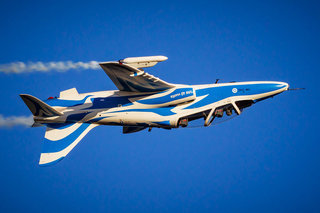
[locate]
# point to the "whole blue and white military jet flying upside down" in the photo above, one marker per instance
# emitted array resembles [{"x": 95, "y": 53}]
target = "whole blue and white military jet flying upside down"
[{"x": 141, "y": 101}]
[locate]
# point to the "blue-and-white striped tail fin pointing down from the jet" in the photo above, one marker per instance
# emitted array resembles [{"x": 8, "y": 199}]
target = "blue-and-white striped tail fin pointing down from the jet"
[{"x": 60, "y": 139}]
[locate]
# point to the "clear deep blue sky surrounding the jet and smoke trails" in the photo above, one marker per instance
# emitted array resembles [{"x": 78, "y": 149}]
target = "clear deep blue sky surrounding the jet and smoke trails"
[{"x": 266, "y": 160}]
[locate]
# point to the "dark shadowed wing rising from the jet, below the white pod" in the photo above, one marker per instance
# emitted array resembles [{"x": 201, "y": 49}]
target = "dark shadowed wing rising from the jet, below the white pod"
[{"x": 131, "y": 79}]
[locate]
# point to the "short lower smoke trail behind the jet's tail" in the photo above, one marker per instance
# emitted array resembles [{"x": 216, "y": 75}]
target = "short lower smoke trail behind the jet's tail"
[{"x": 15, "y": 121}]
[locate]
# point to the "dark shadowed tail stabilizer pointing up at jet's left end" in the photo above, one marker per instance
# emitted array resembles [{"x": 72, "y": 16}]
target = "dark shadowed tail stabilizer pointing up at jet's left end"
[{"x": 38, "y": 107}]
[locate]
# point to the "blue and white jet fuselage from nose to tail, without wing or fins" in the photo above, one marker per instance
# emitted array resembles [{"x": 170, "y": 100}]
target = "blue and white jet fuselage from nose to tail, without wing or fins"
[{"x": 163, "y": 109}]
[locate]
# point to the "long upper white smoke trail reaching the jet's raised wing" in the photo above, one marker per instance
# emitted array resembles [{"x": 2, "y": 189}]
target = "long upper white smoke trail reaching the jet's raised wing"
[{"x": 21, "y": 67}]
